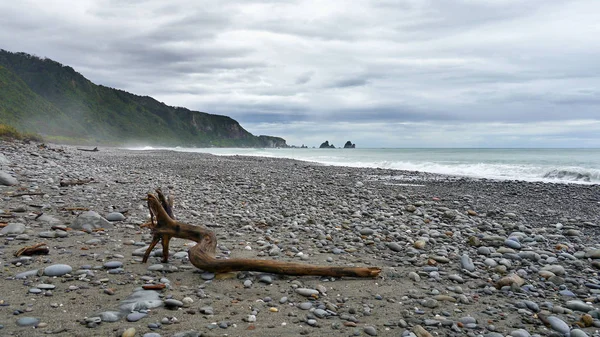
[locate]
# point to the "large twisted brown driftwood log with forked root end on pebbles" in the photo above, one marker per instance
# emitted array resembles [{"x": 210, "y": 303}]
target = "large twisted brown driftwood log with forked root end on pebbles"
[{"x": 164, "y": 227}]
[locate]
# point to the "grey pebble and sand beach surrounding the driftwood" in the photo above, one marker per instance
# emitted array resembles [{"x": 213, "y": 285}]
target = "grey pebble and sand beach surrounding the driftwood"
[{"x": 459, "y": 256}]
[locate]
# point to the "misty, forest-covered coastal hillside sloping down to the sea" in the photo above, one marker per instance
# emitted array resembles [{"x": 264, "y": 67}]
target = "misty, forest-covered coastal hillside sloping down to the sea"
[{"x": 78, "y": 109}]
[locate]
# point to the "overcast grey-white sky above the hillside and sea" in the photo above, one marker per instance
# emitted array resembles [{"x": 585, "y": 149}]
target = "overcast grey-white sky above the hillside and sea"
[{"x": 389, "y": 73}]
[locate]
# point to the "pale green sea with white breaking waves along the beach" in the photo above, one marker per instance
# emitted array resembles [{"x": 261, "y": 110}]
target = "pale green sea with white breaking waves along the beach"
[{"x": 581, "y": 166}]
